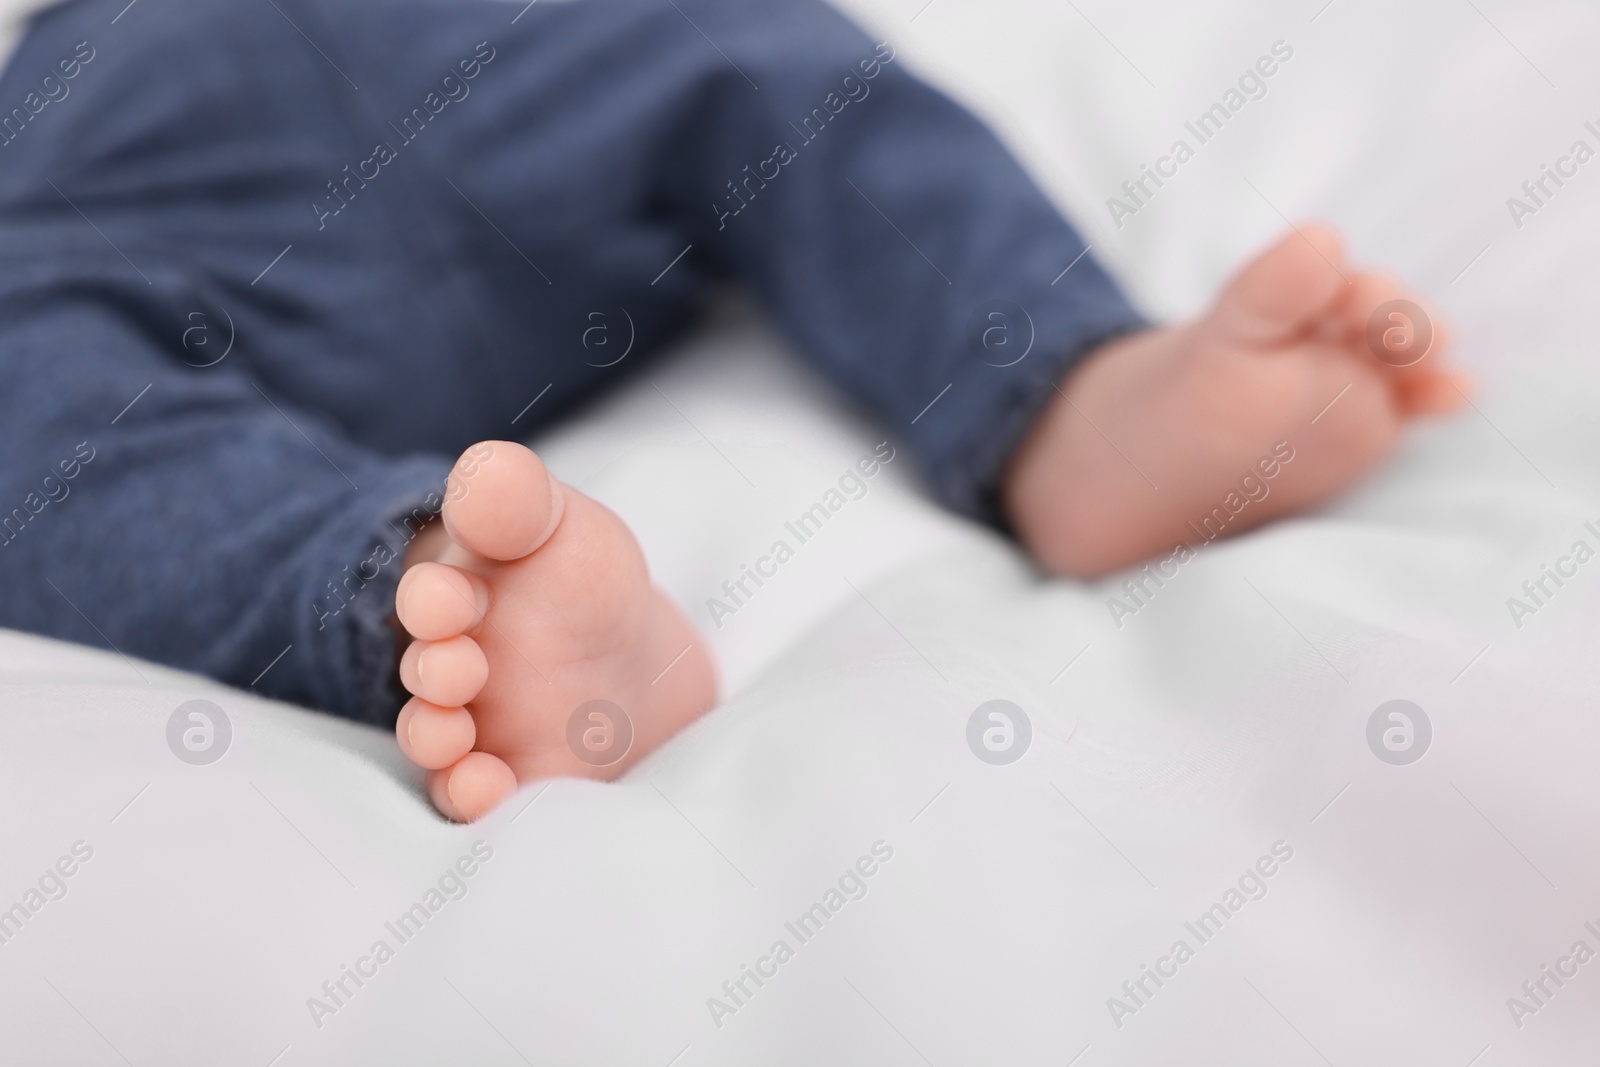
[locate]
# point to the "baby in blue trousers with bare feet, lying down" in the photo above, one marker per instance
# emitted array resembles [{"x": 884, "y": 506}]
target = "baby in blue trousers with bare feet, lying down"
[{"x": 273, "y": 265}]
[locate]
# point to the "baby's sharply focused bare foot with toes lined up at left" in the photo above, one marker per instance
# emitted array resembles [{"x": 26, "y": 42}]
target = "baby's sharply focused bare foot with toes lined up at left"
[{"x": 535, "y": 602}]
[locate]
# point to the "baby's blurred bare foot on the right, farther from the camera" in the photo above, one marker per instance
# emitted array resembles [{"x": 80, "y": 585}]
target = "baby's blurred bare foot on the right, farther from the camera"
[{"x": 1158, "y": 430}]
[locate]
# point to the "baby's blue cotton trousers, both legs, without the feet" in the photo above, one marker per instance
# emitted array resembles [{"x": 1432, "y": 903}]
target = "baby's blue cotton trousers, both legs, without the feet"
[{"x": 247, "y": 518}]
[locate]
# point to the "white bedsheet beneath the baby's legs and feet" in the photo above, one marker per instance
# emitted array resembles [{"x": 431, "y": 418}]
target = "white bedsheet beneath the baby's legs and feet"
[{"x": 1170, "y": 756}]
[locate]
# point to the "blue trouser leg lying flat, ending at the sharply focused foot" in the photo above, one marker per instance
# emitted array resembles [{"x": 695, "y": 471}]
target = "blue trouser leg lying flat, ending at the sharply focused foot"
[{"x": 193, "y": 518}]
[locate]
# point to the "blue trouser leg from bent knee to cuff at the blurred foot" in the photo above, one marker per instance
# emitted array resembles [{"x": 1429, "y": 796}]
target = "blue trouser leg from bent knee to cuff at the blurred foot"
[{"x": 892, "y": 234}]
